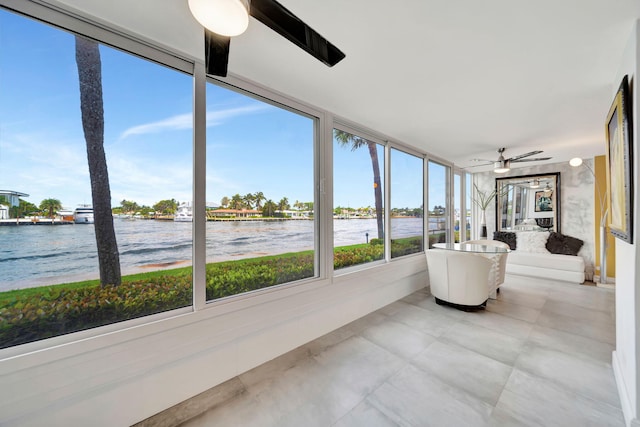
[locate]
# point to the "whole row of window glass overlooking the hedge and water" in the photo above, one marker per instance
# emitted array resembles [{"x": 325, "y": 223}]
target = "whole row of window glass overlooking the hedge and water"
[{"x": 262, "y": 187}]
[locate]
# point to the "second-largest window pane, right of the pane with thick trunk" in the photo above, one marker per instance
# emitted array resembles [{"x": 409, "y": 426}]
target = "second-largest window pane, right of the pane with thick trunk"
[{"x": 260, "y": 194}]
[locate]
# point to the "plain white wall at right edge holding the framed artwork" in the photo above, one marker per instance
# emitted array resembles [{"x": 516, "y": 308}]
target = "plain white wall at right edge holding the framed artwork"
[{"x": 625, "y": 357}]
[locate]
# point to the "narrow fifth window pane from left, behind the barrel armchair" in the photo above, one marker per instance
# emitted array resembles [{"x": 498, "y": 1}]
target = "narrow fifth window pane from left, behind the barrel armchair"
[{"x": 437, "y": 197}]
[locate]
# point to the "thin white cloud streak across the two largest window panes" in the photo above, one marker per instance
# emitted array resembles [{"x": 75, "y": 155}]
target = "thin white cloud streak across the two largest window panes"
[{"x": 185, "y": 121}]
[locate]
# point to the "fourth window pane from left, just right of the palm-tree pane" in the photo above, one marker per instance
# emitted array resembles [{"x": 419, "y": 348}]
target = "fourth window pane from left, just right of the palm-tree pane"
[{"x": 407, "y": 223}]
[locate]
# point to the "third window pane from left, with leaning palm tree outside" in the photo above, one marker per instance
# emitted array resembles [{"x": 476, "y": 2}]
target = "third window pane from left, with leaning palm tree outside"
[{"x": 358, "y": 189}]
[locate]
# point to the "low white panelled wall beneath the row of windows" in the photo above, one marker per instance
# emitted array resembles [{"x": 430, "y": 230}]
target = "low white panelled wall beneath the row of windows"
[{"x": 125, "y": 376}]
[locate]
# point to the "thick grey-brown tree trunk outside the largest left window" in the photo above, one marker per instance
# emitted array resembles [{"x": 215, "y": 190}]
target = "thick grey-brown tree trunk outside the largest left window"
[{"x": 91, "y": 108}]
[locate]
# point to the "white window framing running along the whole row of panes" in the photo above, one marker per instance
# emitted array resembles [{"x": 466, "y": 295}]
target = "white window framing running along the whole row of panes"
[{"x": 128, "y": 42}]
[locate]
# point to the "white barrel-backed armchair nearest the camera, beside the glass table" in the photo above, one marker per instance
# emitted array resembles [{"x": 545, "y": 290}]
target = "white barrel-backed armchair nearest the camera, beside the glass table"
[{"x": 459, "y": 279}]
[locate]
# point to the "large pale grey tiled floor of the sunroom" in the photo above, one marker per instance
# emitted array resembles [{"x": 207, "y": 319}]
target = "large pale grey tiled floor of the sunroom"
[{"x": 540, "y": 355}]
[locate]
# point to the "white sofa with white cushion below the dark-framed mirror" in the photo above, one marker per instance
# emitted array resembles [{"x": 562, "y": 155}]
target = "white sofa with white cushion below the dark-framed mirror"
[{"x": 531, "y": 258}]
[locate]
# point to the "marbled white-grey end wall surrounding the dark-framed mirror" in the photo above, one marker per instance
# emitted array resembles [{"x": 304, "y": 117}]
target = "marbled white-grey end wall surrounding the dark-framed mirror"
[{"x": 576, "y": 204}]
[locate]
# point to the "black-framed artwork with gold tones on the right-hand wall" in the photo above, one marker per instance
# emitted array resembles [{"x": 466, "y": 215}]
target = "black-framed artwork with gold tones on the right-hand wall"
[{"x": 619, "y": 165}]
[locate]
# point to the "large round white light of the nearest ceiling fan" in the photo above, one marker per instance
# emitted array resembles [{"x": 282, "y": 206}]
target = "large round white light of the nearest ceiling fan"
[{"x": 224, "y": 17}]
